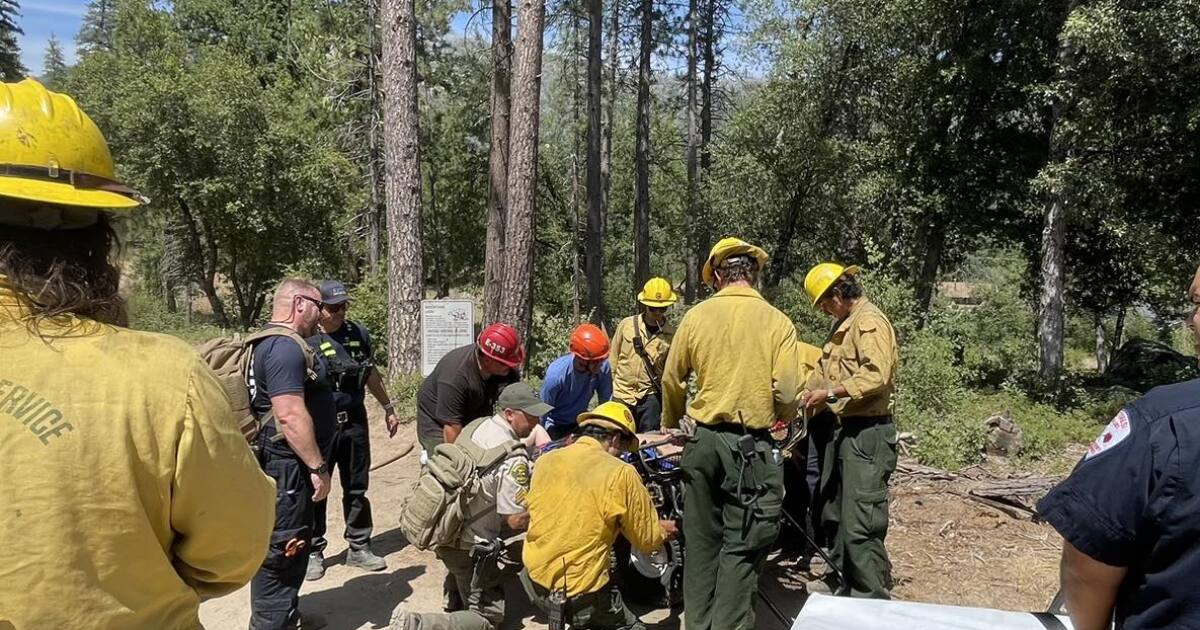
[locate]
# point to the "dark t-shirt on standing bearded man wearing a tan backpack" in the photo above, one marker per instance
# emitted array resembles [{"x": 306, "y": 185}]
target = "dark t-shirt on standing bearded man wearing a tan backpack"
[{"x": 279, "y": 368}]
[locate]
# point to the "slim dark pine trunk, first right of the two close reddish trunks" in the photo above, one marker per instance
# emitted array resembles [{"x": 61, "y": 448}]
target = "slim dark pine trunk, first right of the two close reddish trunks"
[{"x": 595, "y": 248}]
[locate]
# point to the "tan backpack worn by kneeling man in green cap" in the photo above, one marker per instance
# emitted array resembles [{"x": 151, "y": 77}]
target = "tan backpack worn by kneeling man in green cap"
[{"x": 435, "y": 512}]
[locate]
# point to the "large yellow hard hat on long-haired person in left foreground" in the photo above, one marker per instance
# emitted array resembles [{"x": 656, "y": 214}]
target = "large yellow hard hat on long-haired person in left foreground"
[{"x": 52, "y": 153}]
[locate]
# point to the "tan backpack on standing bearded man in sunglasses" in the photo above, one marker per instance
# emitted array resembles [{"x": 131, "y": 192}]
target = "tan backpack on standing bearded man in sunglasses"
[{"x": 230, "y": 359}]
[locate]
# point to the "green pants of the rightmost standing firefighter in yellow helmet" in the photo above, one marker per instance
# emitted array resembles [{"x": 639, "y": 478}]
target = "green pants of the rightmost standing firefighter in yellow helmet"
[{"x": 859, "y": 466}]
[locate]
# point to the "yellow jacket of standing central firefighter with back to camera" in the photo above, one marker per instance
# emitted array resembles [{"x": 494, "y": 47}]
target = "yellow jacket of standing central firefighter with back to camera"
[{"x": 746, "y": 357}]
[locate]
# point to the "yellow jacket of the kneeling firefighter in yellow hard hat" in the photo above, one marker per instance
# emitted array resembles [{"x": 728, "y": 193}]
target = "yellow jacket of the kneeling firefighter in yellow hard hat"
[{"x": 580, "y": 500}]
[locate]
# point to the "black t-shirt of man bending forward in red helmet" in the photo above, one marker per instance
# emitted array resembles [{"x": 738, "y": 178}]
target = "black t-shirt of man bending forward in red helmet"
[{"x": 458, "y": 392}]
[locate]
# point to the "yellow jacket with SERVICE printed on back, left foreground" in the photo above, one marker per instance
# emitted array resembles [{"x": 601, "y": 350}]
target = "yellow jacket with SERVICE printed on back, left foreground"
[{"x": 130, "y": 495}]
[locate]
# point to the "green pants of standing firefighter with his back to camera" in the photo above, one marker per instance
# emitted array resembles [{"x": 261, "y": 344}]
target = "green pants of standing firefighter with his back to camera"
[{"x": 733, "y": 512}]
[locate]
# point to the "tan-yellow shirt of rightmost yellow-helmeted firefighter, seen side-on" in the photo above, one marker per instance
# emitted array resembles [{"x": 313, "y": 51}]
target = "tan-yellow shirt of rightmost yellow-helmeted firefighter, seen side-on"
[{"x": 861, "y": 356}]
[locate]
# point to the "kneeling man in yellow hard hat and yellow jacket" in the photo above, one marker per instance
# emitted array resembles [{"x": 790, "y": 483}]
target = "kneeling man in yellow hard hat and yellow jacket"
[{"x": 583, "y": 496}]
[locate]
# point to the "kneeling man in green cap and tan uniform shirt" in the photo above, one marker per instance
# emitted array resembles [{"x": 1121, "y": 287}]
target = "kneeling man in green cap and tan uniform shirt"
[{"x": 497, "y": 509}]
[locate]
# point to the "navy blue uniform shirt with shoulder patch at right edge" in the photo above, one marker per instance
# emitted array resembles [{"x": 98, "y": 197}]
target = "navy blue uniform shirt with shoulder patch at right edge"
[{"x": 1133, "y": 502}]
